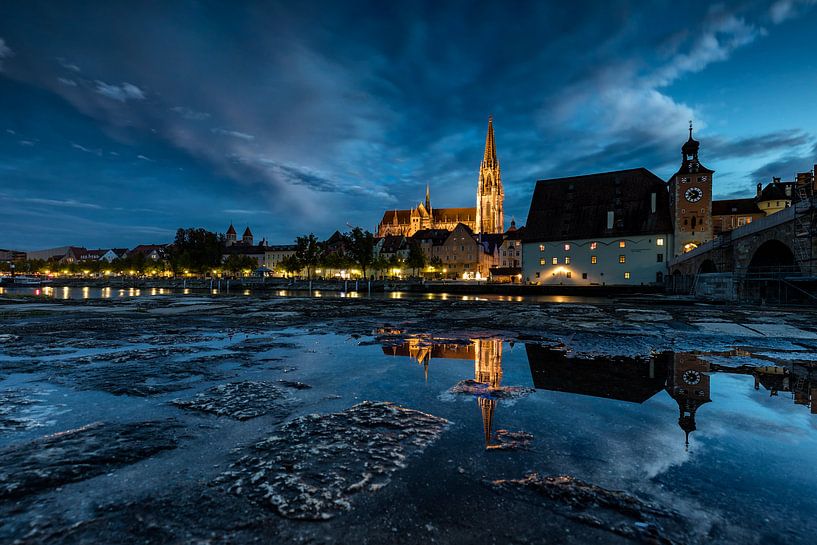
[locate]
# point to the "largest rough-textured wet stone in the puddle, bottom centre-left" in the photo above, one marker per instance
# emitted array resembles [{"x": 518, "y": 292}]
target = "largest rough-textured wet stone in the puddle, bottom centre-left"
[{"x": 315, "y": 464}]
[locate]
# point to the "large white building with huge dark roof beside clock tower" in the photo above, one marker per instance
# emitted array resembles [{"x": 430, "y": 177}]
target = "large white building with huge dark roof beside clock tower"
[{"x": 612, "y": 228}]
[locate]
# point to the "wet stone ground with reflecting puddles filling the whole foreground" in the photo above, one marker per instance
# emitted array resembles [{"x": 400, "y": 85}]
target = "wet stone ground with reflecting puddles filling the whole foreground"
[{"x": 238, "y": 419}]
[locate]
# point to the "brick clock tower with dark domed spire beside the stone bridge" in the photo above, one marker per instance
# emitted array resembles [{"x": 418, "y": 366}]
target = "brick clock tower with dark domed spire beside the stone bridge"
[{"x": 691, "y": 199}]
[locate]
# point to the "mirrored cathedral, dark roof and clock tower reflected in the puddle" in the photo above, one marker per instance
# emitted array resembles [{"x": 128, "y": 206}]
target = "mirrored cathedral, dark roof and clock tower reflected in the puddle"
[{"x": 685, "y": 377}]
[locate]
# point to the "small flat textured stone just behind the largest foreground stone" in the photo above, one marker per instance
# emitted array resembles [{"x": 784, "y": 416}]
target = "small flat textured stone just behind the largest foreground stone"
[{"x": 239, "y": 400}]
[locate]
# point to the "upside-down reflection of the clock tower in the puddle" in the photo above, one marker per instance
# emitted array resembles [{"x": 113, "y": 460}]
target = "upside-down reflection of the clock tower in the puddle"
[{"x": 688, "y": 385}]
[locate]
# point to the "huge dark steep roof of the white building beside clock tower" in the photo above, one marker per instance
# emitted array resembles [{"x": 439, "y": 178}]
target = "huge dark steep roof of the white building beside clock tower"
[{"x": 577, "y": 207}]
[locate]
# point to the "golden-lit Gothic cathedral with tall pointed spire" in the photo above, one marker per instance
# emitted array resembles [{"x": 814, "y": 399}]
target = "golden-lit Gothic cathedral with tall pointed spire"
[{"x": 486, "y": 217}]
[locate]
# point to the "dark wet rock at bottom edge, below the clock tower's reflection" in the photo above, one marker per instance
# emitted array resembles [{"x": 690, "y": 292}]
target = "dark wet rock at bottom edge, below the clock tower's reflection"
[{"x": 597, "y": 507}]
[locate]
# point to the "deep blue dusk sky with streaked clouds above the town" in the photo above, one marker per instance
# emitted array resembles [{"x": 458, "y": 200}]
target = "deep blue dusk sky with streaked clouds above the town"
[{"x": 122, "y": 121}]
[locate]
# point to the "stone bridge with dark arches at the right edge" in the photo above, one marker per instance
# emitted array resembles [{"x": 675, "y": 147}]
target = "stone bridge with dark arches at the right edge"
[{"x": 780, "y": 248}]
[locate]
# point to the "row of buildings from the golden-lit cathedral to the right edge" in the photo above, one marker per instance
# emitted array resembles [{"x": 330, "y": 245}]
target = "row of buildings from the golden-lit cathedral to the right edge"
[{"x": 608, "y": 228}]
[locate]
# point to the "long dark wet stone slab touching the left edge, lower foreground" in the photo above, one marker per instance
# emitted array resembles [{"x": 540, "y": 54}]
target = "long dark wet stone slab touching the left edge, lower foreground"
[{"x": 79, "y": 454}]
